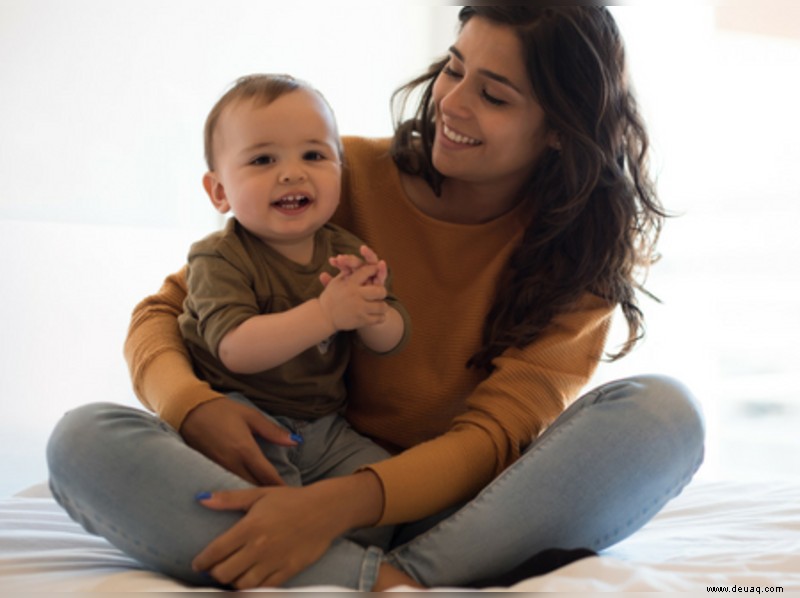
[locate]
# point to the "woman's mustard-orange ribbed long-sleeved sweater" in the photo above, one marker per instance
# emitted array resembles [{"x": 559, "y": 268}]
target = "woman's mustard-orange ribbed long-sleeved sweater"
[{"x": 454, "y": 428}]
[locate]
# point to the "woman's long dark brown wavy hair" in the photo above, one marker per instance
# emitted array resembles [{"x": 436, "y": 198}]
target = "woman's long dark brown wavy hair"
[{"x": 596, "y": 215}]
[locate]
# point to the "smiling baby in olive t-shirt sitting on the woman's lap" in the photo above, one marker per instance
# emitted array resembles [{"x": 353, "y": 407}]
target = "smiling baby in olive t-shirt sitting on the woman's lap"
[{"x": 275, "y": 298}]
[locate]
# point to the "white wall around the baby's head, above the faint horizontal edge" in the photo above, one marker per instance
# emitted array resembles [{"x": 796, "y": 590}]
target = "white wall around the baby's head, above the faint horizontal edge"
[{"x": 104, "y": 102}]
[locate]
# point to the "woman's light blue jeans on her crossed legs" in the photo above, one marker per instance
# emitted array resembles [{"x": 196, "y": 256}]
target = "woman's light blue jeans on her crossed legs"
[{"x": 600, "y": 471}]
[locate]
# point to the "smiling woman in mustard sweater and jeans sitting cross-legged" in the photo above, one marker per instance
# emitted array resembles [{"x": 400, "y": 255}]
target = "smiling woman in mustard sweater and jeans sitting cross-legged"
[{"x": 516, "y": 212}]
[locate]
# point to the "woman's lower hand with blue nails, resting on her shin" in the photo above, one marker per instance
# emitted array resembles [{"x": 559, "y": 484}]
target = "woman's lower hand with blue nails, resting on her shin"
[{"x": 284, "y": 530}]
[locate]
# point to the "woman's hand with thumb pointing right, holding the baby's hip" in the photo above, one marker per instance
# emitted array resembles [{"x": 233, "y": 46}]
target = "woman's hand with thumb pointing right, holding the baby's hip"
[{"x": 224, "y": 431}]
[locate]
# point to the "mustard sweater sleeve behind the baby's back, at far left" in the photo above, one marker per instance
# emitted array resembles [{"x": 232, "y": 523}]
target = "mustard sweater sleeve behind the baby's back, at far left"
[{"x": 159, "y": 364}]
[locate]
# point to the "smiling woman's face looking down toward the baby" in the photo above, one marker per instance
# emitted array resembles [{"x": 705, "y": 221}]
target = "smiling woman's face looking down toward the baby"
[{"x": 489, "y": 127}]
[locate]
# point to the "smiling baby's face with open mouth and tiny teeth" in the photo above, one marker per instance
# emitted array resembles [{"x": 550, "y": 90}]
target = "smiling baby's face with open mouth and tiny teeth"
[{"x": 278, "y": 166}]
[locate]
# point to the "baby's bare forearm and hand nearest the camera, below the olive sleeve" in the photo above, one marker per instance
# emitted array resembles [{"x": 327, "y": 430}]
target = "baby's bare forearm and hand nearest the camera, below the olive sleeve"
[{"x": 266, "y": 341}]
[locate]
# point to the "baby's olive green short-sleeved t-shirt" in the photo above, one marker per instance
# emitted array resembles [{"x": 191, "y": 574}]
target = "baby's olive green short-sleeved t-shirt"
[{"x": 233, "y": 276}]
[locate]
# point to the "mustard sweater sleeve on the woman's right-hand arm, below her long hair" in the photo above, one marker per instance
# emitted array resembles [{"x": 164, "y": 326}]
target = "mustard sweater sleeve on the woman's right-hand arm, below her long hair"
[{"x": 526, "y": 392}]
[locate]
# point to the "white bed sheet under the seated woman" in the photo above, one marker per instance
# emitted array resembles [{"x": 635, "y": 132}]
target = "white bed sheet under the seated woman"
[{"x": 743, "y": 534}]
